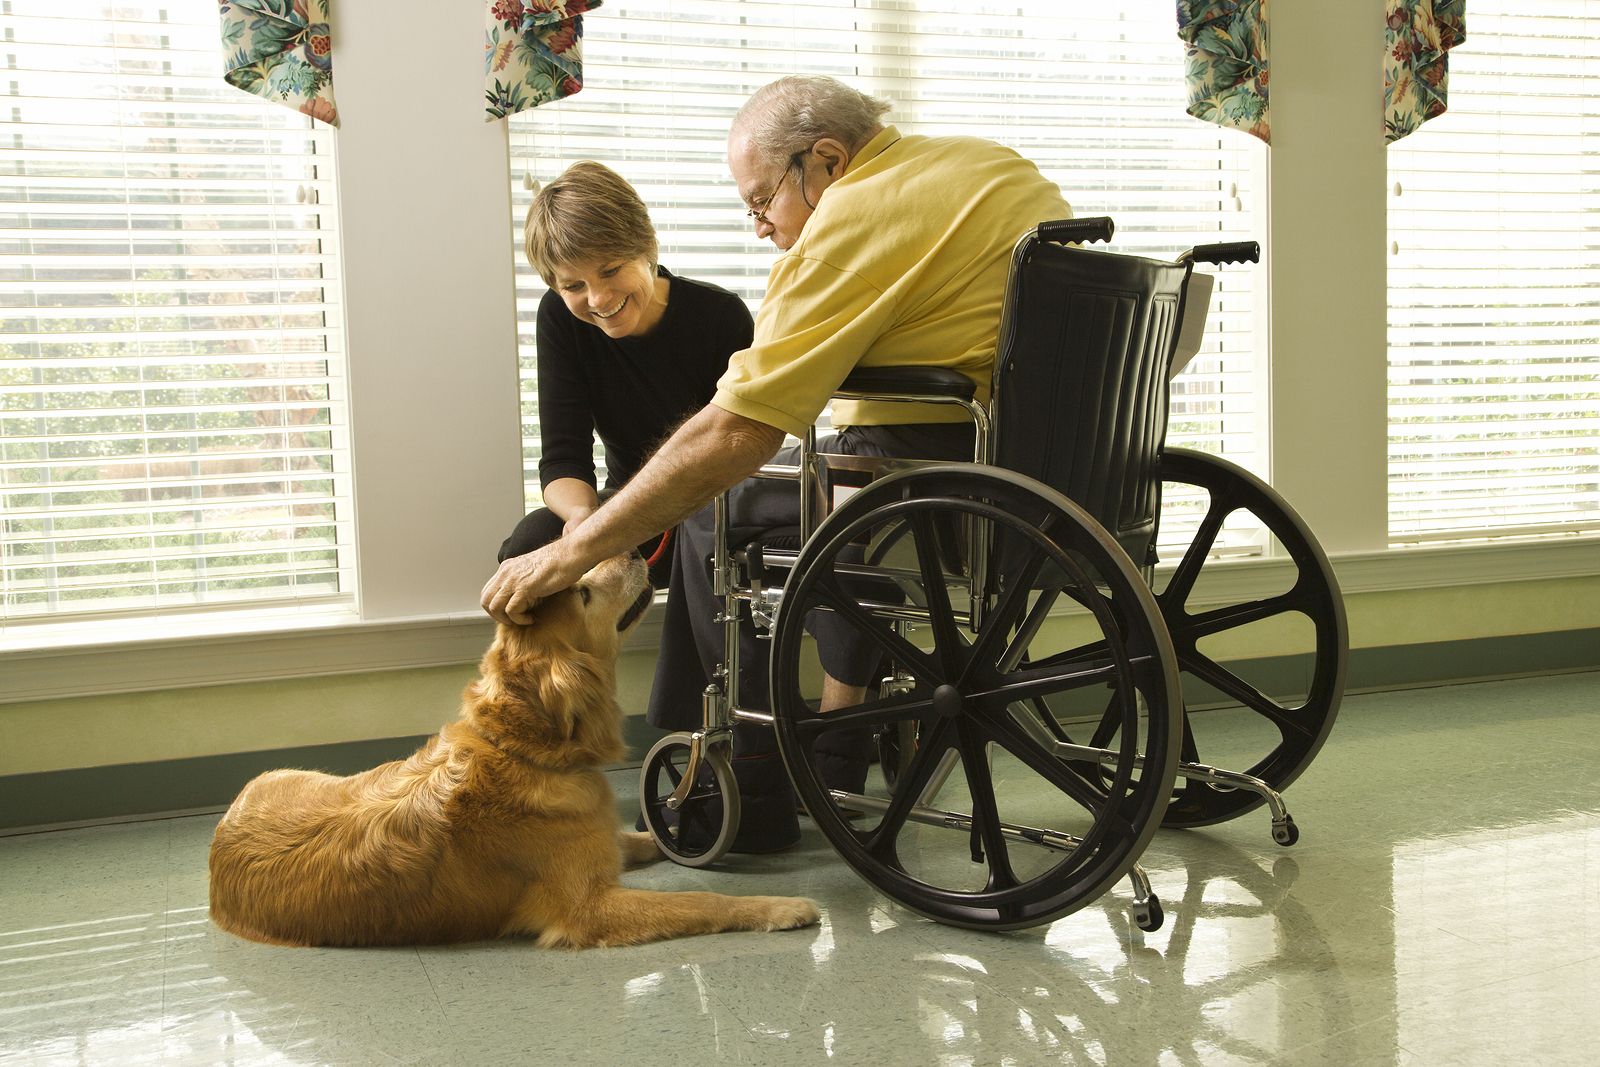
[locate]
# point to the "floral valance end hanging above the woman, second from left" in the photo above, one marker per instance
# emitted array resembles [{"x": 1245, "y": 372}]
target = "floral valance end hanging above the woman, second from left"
[{"x": 532, "y": 54}]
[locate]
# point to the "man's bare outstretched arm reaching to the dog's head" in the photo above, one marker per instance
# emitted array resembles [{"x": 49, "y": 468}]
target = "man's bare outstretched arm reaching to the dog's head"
[{"x": 706, "y": 455}]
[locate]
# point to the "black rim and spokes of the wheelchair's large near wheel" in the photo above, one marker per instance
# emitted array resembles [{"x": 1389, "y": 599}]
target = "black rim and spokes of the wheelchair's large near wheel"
[{"x": 1121, "y": 831}]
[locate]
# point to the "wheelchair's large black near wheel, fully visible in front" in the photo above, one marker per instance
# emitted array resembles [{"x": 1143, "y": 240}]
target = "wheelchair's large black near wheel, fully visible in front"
[{"x": 991, "y": 823}]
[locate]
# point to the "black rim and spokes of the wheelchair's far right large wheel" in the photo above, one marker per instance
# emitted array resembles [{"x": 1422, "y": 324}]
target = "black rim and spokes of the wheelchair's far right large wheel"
[{"x": 1303, "y": 729}]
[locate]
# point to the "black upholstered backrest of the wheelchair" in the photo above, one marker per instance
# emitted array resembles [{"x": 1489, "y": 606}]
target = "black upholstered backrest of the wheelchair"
[{"x": 1082, "y": 375}]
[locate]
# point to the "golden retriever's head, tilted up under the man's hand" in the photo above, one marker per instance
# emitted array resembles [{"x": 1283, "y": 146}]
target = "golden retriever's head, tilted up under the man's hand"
[{"x": 550, "y": 687}]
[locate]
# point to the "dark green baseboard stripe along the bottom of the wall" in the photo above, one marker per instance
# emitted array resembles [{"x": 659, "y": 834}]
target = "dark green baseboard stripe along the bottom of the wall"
[{"x": 126, "y": 791}]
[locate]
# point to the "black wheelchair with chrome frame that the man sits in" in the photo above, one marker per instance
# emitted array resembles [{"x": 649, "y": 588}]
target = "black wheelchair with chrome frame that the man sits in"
[{"x": 1031, "y": 721}]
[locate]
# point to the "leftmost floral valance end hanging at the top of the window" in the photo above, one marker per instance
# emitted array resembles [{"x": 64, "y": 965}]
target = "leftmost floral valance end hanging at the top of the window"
[{"x": 281, "y": 50}]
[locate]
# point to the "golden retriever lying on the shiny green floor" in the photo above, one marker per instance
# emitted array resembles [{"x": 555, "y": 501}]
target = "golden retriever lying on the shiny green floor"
[{"x": 503, "y": 825}]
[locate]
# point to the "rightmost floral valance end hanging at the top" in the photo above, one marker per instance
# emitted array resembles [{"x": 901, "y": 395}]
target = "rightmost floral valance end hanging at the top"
[{"x": 1417, "y": 63}]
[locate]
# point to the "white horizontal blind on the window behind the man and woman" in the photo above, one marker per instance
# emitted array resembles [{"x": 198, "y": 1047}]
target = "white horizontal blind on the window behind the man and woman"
[{"x": 1090, "y": 94}]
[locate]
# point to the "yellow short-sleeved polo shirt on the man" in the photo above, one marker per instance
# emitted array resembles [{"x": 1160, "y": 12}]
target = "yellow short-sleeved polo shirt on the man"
[{"x": 903, "y": 265}]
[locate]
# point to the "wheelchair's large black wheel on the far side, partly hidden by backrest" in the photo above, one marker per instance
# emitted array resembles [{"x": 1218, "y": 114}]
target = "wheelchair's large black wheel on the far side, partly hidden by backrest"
[{"x": 1276, "y": 737}]
